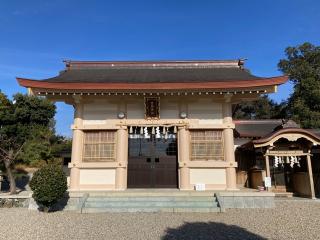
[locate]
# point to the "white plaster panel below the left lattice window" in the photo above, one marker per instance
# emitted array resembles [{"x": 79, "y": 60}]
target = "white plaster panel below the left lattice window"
[{"x": 97, "y": 176}]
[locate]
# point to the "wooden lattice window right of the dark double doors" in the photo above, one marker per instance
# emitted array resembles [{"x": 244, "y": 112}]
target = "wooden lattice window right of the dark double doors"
[{"x": 206, "y": 145}]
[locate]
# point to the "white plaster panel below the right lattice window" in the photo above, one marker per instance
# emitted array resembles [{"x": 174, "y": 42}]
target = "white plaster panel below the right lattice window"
[{"x": 207, "y": 176}]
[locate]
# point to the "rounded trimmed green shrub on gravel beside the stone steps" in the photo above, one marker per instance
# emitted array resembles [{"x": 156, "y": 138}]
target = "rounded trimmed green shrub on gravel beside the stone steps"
[{"x": 48, "y": 184}]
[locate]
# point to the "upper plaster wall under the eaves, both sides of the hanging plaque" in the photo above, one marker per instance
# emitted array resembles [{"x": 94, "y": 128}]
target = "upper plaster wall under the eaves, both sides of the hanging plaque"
[{"x": 204, "y": 108}]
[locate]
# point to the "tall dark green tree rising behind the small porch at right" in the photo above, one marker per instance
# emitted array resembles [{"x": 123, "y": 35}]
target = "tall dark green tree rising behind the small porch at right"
[{"x": 302, "y": 65}]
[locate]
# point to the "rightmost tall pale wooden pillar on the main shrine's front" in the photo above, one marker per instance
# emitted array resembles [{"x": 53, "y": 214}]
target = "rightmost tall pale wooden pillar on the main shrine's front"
[{"x": 228, "y": 138}]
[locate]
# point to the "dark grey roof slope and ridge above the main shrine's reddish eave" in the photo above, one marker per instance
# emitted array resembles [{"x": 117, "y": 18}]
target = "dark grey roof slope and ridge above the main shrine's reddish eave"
[{"x": 151, "y": 72}]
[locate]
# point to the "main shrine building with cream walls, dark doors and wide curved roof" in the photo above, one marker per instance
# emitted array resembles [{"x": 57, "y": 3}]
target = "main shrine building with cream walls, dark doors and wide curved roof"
[{"x": 155, "y": 124}]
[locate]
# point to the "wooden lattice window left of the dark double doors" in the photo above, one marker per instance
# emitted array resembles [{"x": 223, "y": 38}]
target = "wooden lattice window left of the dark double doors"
[{"x": 99, "y": 146}]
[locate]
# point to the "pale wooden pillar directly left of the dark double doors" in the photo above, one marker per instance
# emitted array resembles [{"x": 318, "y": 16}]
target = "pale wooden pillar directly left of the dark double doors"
[{"x": 122, "y": 159}]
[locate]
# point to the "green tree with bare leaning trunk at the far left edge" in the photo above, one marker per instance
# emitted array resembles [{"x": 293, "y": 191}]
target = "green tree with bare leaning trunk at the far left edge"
[{"x": 20, "y": 120}]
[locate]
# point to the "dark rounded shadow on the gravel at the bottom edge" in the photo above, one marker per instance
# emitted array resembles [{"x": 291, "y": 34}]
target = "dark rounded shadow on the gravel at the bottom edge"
[{"x": 210, "y": 230}]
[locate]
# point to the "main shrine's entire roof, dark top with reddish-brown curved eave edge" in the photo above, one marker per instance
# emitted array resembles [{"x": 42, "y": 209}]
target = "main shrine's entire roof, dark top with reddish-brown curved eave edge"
[{"x": 153, "y": 75}]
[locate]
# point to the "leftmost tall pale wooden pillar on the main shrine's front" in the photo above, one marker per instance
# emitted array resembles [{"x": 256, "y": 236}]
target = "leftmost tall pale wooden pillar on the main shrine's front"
[{"x": 77, "y": 145}]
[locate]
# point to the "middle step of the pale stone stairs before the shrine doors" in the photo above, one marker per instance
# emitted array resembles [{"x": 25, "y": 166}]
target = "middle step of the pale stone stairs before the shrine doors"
[{"x": 150, "y": 204}]
